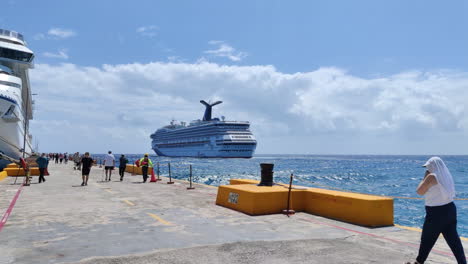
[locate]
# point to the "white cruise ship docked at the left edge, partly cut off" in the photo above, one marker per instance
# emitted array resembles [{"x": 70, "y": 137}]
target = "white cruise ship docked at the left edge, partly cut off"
[{"x": 16, "y": 104}]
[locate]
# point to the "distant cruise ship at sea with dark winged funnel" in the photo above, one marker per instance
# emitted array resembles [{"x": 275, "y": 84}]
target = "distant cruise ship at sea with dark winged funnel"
[{"x": 206, "y": 138}]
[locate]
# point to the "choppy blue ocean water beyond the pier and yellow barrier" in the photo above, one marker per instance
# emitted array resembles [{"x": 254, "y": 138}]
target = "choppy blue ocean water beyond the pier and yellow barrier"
[{"x": 396, "y": 176}]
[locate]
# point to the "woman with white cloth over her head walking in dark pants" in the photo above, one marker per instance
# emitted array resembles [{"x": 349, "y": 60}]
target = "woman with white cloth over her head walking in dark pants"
[{"x": 441, "y": 214}]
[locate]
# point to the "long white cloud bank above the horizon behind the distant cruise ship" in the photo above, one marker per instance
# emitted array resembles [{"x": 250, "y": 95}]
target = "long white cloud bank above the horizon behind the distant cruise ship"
[{"x": 323, "y": 111}]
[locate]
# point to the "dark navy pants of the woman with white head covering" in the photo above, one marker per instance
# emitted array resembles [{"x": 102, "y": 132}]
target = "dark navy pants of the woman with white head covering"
[{"x": 441, "y": 219}]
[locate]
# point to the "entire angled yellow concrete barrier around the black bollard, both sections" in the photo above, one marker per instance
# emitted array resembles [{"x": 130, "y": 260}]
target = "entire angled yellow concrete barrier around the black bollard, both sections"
[{"x": 362, "y": 209}]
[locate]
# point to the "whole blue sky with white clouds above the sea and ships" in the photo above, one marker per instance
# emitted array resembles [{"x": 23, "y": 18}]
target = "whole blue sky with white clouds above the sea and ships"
[{"x": 338, "y": 77}]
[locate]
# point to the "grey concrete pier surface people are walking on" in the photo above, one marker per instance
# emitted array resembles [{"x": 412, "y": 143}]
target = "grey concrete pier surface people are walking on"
[{"x": 60, "y": 221}]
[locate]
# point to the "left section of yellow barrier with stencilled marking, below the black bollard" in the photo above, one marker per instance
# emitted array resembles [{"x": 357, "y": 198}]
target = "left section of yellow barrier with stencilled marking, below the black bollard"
[{"x": 259, "y": 200}]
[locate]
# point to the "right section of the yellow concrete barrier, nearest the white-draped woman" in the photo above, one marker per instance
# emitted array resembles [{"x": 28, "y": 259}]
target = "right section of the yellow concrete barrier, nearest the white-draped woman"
[{"x": 361, "y": 209}]
